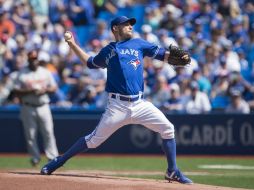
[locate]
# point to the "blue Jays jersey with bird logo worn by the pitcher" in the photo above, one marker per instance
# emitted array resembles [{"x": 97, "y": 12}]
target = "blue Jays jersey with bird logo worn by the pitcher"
[{"x": 124, "y": 63}]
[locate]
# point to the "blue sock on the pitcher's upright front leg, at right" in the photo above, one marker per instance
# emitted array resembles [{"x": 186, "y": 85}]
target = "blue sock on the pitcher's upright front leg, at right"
[{"x": 169, "y": 147}]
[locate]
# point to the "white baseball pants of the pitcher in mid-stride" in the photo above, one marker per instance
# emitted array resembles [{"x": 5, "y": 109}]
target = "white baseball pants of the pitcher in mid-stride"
[{"x": 119, "y": 113}]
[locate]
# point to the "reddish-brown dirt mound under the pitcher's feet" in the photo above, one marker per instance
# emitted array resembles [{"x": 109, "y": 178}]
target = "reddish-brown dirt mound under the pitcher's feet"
[{"x": 91, "y": 180}]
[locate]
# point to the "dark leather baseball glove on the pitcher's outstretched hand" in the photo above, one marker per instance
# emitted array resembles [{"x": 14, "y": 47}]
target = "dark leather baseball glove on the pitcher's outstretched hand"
[{"x": 178, "y": 56}]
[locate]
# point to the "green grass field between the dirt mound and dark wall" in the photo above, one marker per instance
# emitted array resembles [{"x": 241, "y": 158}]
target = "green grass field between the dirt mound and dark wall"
[{"x": 240, "y": 172}]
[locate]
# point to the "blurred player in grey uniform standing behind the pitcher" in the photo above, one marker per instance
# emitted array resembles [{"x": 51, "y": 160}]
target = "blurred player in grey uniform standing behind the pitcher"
[{"x": 32, "y": 85}]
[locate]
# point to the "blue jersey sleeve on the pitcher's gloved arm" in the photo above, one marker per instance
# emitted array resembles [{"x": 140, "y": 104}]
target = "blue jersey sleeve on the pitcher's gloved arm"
[{"x": 152, "y": 50}]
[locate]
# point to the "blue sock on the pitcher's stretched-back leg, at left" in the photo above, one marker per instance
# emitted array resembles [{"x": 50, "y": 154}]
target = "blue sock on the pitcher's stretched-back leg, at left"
[{"x": 79, "y": 146}]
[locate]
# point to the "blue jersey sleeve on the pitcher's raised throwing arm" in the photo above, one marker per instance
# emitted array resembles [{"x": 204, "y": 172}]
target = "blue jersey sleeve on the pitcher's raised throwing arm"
[{"x": 98, "y": 61}]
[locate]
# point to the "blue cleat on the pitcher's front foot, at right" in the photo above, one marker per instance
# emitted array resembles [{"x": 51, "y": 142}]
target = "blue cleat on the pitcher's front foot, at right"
[{"x": 178, "y": 177}]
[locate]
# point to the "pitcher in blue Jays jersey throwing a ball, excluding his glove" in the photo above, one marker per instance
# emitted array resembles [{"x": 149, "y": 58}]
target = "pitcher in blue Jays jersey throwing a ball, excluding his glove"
[{"x": 125, "y": 85}]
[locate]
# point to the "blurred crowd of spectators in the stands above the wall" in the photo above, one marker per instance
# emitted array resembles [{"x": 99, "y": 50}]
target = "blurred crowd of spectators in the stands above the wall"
[{"x": 219, "y": 34}]
